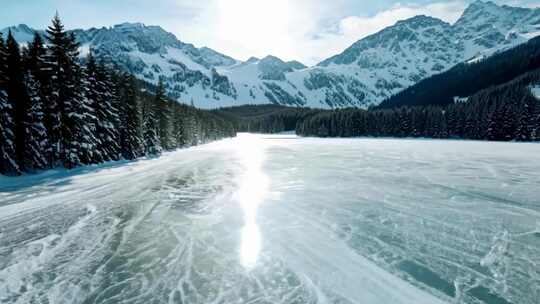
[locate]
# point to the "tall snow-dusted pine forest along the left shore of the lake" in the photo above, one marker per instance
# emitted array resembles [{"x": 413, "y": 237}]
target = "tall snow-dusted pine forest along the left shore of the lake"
[{"x": 56, "y": 110}]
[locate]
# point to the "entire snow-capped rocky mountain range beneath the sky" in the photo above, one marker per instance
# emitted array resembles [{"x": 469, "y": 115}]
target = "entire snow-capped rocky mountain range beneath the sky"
[{"x": 366, "y": 73}]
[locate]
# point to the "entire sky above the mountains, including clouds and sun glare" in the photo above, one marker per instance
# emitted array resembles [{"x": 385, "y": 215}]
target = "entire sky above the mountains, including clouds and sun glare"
[{"x": 306, "y": 30}]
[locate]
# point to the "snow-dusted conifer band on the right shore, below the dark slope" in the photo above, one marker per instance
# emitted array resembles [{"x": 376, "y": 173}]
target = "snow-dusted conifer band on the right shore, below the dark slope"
[{"x": 502, "y": 113}]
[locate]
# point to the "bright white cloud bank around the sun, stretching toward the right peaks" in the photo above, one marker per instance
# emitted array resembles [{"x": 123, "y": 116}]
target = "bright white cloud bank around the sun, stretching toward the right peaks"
[{"x": 305, "y": 30}]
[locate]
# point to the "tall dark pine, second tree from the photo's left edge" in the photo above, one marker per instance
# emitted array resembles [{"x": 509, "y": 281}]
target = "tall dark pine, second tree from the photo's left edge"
[{"x": 17, "y": 97}]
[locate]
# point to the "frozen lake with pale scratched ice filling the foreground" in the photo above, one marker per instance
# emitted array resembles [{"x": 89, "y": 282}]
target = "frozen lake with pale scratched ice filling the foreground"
[{"x": 280, "y": 219}]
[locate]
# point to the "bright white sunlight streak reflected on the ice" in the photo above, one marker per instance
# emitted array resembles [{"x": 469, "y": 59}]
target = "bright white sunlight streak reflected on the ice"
[{"x": 252, "y": 191}]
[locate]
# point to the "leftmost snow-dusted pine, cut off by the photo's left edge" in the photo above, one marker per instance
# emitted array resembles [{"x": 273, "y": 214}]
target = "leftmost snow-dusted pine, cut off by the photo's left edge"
[{"x": 8, "y": 165}]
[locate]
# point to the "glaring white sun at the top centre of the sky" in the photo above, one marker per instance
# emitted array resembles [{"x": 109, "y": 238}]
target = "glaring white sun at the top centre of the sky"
[{"x": 253, "y": 19}]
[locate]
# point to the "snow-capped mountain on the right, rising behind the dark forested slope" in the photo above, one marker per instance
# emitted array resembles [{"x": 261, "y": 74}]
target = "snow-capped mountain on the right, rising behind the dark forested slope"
[{"x": 401, "y": 55}]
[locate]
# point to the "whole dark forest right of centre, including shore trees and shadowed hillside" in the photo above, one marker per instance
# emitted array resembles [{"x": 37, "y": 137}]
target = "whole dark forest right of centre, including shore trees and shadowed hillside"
[{"x": 495, "y": 103}]
